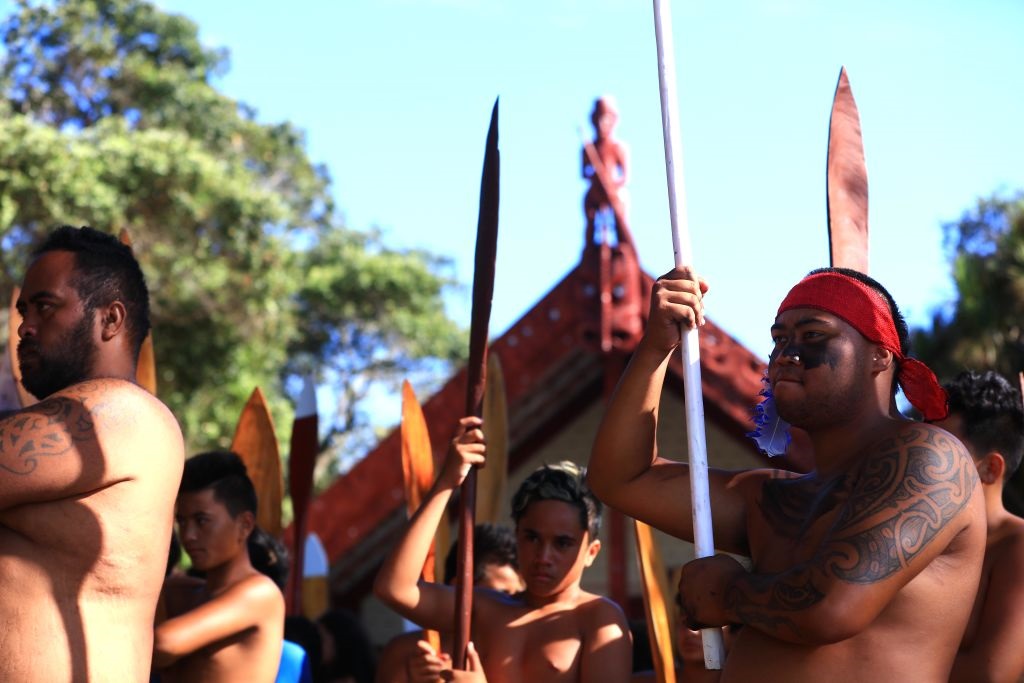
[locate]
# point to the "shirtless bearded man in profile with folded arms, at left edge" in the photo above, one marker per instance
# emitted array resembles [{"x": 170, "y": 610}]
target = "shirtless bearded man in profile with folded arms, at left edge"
[{"x": 89, "y": 476}]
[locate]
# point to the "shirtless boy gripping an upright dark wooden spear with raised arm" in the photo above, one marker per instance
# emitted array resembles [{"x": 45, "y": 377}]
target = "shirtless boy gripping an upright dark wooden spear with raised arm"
[{"x": 553, "y": 631}]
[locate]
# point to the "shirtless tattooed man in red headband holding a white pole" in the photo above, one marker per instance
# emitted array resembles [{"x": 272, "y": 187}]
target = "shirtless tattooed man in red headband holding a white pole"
[{"x": 867, "y": 569}]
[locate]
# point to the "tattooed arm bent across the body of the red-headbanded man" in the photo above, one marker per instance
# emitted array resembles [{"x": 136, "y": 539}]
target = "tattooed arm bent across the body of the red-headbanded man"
[{"x": 901, "y": 500}]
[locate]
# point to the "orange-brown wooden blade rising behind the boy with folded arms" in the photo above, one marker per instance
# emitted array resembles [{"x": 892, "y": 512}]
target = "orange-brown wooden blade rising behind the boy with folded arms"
[{"x": 257, "y": 443}]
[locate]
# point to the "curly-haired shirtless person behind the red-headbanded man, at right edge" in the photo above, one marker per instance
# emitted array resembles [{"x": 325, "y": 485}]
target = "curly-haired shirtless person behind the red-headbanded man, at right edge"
[{"x": 986, "y": 414}]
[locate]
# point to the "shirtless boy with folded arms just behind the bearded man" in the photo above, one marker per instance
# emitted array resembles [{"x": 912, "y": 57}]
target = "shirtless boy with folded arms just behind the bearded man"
[{"x": 235, "y": 631}]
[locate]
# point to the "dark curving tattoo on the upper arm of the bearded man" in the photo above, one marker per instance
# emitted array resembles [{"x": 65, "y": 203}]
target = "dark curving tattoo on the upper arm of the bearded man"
[{"x": 49, "y": 430}]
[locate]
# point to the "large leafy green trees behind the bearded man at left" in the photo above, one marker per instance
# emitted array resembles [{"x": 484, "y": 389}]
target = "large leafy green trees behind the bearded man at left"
[{"x": 109, "y": 118}]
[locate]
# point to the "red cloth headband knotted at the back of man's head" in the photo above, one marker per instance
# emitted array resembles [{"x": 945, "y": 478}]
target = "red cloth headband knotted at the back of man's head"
[{"x": 869, "y": 313}]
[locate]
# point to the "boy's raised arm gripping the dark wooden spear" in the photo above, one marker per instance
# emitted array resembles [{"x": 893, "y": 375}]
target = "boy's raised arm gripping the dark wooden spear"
[{"x": 398, "y": 584}]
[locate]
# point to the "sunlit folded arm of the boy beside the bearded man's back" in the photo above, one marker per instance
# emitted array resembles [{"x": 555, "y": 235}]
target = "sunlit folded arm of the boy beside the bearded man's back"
[{"x": 245, "y": 606}]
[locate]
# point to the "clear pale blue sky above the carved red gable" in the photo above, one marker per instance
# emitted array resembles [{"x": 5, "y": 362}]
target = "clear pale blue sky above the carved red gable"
[{"x": 395, "y": 98}]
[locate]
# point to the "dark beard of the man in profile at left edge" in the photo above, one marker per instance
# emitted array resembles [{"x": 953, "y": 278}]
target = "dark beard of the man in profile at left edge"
[{"x": 68, "y": 363}]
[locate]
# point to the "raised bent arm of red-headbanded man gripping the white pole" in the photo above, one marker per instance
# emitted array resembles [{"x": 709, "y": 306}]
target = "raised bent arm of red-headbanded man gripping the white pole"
[{"x": 625, "y": 471}]
